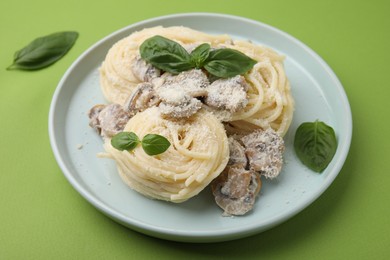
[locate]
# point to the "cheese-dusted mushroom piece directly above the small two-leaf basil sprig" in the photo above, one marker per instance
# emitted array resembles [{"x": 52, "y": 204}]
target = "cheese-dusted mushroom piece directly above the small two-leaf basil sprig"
[{"x": 112, "y": 119}]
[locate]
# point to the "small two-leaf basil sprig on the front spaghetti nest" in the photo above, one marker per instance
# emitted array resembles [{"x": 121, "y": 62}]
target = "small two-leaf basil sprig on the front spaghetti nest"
[{"x": 152, "y": 144}]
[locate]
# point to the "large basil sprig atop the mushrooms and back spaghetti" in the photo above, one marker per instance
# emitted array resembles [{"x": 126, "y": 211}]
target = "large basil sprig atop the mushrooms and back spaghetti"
[{"x": 170, "y": 56}]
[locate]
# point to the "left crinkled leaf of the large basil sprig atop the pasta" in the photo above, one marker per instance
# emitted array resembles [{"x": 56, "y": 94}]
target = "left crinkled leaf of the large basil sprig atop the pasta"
[{"x": 165, "y": 54}]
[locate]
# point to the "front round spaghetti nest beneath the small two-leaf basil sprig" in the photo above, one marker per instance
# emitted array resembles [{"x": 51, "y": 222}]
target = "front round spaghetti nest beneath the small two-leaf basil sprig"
[{"x": 198, "y": 154}]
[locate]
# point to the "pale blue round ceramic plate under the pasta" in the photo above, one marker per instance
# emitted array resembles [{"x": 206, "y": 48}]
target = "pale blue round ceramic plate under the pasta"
[{"x": 318, "y": 95}]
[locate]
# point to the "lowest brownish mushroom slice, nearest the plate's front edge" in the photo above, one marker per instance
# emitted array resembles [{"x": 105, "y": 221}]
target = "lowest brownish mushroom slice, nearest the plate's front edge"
[{"x": 235, "y": 190}]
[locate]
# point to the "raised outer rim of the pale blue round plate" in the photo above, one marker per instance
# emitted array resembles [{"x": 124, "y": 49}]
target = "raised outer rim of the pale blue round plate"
[{"x": 200, "y": 236}]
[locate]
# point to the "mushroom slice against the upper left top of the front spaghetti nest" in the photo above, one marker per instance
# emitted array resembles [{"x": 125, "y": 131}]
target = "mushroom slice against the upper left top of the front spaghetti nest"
[{"x": 143, "y": 97}]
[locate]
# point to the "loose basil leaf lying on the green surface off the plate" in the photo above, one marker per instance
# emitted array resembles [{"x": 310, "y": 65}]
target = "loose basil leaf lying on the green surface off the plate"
[{"x": 44, "y": 51}]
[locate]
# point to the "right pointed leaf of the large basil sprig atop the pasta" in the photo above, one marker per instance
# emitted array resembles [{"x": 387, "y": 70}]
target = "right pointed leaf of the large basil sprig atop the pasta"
[{"x": 226, "y": 63}]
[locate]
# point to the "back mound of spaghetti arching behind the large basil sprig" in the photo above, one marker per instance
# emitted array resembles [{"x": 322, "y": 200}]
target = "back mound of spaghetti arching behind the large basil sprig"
[{"x": 270, "y": 101}]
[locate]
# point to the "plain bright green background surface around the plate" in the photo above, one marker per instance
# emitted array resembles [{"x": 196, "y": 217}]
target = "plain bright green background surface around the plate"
[{"x": 43, "y": 217}]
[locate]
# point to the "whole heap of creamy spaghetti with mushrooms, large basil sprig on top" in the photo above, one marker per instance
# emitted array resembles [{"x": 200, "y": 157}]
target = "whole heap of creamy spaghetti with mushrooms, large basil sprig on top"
[{"x": 225, "y": 132}]
